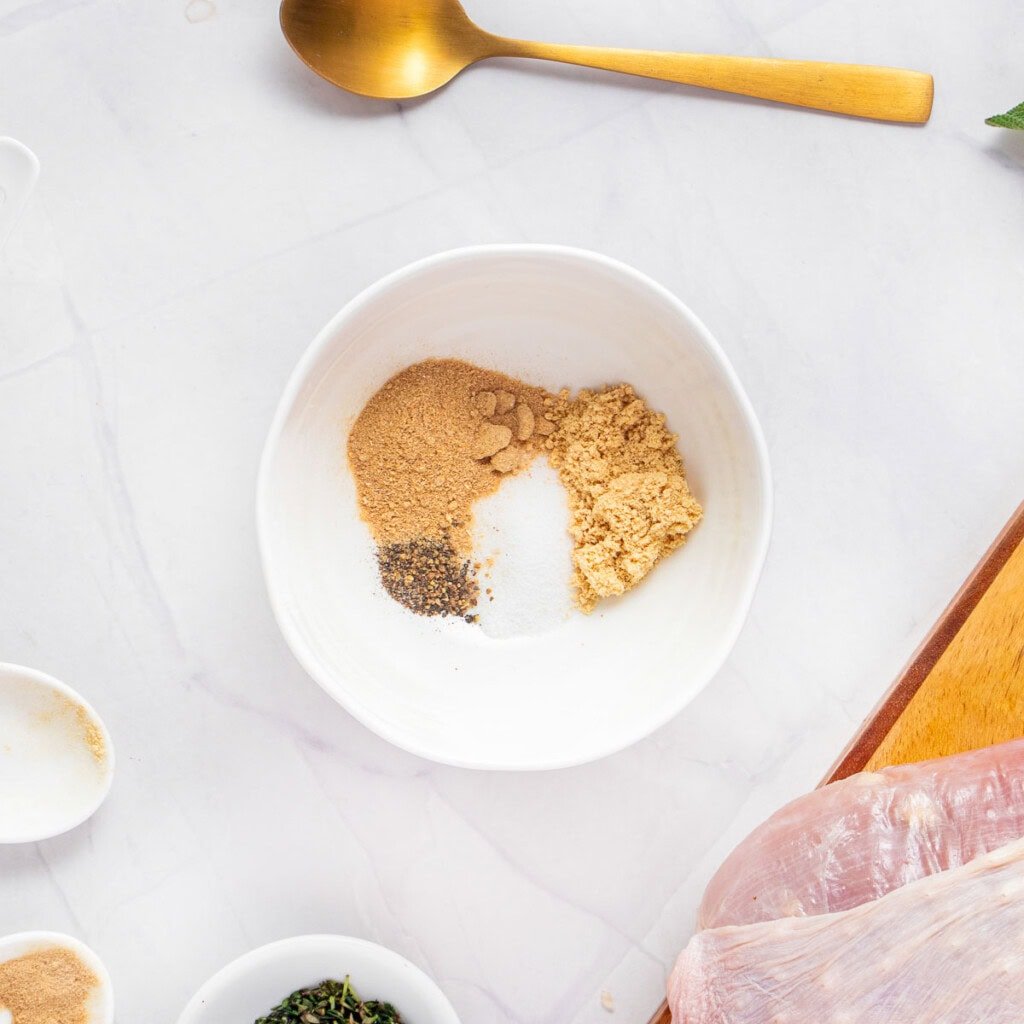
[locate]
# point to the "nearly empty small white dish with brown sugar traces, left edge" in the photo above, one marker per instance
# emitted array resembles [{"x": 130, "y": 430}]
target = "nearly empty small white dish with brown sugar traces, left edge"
[{"x": 51, "y": 780}]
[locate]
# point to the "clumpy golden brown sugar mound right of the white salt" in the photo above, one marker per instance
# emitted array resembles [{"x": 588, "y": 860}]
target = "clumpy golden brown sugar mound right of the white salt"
[{"x": 629, "y": 501}]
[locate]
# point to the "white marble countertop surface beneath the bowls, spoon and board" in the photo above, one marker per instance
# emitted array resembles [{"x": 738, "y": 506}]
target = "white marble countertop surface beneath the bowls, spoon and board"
[{"x": 206, "y": 204}]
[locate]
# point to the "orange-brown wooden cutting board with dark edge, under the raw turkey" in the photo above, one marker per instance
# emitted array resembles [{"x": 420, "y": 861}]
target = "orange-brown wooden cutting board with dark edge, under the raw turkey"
[{"x": 964, "y": 688}]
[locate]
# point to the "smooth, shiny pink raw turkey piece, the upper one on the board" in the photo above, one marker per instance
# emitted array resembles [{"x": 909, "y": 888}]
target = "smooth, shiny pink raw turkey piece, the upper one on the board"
[{"x": 855, "y": 841}]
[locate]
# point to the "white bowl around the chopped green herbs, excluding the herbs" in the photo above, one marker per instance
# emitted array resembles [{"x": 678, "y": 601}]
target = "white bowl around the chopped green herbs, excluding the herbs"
[{"x": 254, "y": 985}]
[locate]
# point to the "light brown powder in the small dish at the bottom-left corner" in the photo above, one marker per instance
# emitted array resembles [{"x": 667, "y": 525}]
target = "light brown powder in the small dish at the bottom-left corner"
[{"x": 48, "y": 987}]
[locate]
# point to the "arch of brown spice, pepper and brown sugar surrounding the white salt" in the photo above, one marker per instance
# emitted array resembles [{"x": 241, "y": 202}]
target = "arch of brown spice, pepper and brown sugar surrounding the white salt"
[{"x": 442, "y": 435}]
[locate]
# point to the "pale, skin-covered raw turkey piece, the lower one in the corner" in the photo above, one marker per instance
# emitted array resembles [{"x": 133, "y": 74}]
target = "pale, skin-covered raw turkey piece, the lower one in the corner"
[{"x": 949, "y": 950}]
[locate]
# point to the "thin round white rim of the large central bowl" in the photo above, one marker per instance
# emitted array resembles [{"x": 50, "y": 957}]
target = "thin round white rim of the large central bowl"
[{"x": 728, "y": 638}]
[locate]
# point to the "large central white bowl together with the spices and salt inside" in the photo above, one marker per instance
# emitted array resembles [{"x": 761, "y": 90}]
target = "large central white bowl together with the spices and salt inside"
[{"x": 514, "y": 507}]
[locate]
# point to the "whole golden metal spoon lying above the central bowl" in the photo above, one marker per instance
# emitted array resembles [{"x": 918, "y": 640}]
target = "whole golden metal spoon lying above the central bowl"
[{"x": 395, "y": 50}]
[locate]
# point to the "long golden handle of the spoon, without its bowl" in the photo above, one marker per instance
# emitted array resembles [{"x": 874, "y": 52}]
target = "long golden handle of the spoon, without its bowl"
[{"x": 861, "y": 91}]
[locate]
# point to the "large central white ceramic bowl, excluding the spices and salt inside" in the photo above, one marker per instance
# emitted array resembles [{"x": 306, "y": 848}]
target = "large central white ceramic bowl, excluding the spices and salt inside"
[{"x": 588, "y": 686}]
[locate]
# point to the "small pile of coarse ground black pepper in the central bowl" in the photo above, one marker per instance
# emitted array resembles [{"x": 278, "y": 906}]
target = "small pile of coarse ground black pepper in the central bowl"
[{"x": 430, "y": 577}]
